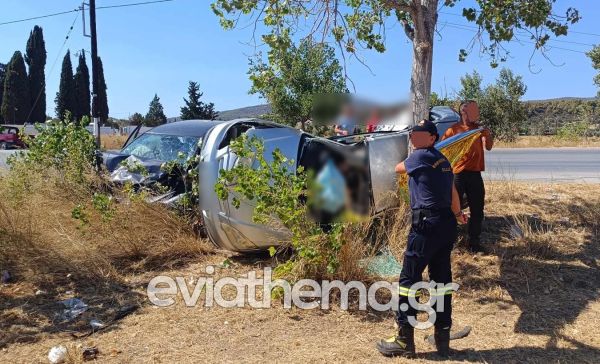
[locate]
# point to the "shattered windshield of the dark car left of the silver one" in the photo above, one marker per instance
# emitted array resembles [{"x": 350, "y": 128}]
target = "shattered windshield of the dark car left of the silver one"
[{"x": 162, "y": 147}]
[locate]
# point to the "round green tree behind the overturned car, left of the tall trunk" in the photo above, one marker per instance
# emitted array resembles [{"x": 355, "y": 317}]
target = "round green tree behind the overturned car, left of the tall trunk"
[{"x": 294, "y": 77}]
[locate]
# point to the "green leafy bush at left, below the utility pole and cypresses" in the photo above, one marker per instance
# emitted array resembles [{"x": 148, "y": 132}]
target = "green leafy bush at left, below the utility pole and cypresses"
[{"x": 64, "y": 146}]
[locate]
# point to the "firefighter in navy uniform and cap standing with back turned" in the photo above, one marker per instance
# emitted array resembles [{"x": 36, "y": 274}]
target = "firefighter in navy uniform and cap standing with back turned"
[{"x": 435, "y": 210}]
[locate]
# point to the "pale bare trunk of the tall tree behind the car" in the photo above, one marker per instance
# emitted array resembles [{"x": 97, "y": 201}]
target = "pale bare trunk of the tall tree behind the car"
[{"x": 424, "y": 20}]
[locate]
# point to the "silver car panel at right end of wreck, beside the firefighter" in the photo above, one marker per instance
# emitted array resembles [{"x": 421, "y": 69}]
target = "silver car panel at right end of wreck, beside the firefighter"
[{"x": 385, "y": 151}]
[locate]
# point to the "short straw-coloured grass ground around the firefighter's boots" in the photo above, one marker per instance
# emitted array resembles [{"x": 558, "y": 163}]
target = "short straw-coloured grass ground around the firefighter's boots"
[{"x": 534, "y": 298}]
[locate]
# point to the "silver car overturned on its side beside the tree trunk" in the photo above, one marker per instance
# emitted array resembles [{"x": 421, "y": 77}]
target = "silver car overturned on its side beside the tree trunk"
[{"x": 369, "y": 161}]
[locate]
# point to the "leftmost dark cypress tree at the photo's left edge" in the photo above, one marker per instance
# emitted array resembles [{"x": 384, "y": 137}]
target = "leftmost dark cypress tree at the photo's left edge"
[{"x": 15, "y": 100}]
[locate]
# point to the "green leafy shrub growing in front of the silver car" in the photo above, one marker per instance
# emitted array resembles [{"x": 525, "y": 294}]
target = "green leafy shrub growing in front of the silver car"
[{"x": 277, "y": 190}]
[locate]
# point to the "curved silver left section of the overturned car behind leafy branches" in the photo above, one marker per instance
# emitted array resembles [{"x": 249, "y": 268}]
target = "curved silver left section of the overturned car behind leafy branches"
[{"x": 230, "y": 227}]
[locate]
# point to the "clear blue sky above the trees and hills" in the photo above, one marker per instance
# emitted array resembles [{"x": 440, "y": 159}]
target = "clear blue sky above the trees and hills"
[{"x": 158, "y": 48}]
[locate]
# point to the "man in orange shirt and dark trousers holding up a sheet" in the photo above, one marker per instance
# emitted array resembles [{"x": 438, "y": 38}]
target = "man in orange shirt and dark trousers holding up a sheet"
[{"x": 468, "y": 169}]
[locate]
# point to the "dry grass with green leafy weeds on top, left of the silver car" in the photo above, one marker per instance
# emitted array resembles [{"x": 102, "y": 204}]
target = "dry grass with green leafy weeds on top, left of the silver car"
[{"x": 60, "y": 215}]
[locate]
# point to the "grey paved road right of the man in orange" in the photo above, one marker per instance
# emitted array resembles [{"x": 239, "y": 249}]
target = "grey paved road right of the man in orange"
[{"x": 544, "y": 164}]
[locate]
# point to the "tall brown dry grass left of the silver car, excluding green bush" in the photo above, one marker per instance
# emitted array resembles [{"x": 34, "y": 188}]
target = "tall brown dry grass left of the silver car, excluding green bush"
[{"x": 49, "y": 252}]
